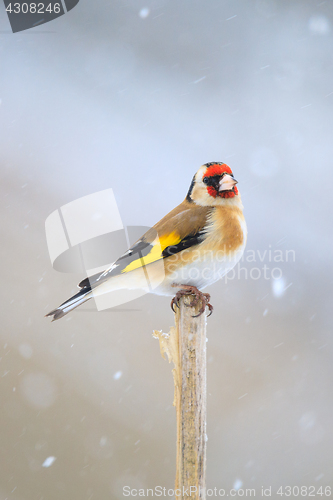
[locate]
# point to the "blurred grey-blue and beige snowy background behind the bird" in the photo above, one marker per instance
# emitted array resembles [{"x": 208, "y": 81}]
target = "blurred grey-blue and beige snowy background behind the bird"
[{"x": 136, "y": 96}]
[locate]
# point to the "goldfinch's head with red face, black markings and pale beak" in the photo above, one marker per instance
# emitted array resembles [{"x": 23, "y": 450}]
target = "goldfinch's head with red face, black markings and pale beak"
[{"x": 212, "y": 185}]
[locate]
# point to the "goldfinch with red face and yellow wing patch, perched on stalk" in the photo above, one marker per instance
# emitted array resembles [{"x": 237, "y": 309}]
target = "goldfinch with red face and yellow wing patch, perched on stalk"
[{"x": 193, "y": 246}]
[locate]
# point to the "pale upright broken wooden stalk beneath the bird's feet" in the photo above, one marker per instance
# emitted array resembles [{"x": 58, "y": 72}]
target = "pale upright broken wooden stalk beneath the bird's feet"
[{"x": 185, "y": 345}]
